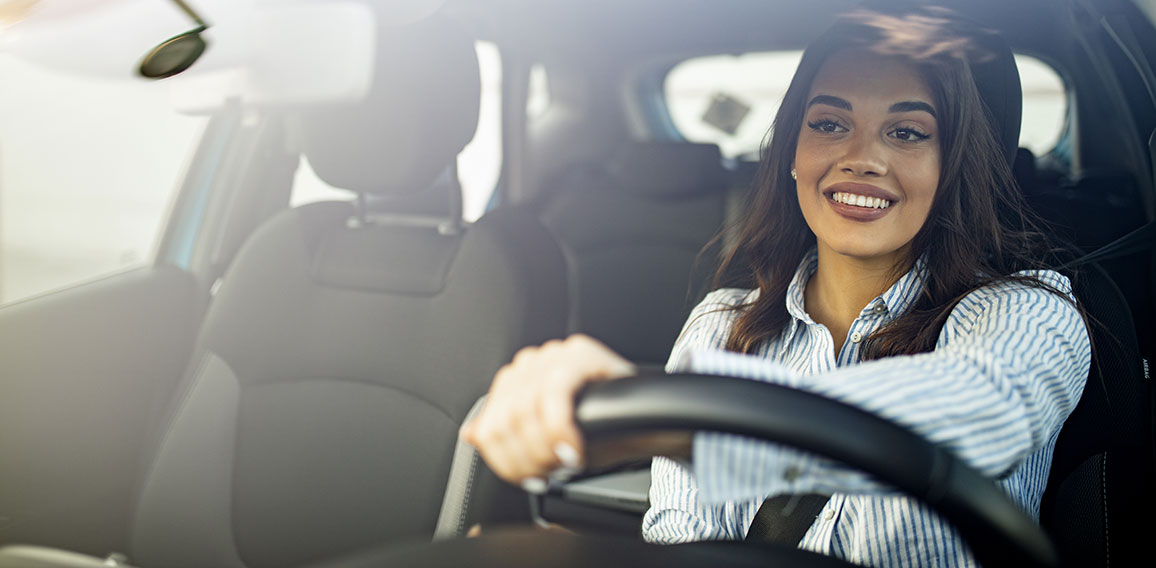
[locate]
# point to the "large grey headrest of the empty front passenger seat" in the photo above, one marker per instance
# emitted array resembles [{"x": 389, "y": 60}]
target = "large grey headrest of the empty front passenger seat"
[{"x": 420, "y": 113}]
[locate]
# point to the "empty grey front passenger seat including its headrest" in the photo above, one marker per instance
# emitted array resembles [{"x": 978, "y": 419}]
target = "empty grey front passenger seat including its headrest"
[{"x": 340, "y": 355}]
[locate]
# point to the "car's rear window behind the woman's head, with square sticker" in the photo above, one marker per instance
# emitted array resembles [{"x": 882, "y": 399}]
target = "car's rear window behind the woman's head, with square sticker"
[{"x": 732, "y": 100}]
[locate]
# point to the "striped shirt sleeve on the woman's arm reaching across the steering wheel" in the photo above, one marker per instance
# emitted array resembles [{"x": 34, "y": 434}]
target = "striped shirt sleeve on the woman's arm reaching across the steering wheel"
[{"x": 1010, "y": 367}]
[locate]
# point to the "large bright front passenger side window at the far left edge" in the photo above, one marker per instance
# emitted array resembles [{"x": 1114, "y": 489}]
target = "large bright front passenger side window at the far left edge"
[{"x": 88, "y": 168}]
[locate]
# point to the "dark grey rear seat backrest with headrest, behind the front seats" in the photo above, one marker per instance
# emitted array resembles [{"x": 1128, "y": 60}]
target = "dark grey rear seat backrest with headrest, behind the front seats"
[{"x": 633, "y": 233}]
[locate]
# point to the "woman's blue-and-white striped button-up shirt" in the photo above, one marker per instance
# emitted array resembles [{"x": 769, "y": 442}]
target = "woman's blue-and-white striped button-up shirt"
[{"x": 1009, "y": 368}]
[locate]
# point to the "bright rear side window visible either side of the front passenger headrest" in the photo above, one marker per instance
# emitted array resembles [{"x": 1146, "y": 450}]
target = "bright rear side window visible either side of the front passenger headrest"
[{"x": 479, "y": 164}]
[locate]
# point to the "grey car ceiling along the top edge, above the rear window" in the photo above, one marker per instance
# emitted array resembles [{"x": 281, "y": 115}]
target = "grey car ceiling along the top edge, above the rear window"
[{"x": 648, "y": 28}]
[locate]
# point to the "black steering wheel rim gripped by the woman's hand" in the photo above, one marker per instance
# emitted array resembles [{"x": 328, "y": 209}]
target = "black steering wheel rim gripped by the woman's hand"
[{"x": 996, "y": 529}]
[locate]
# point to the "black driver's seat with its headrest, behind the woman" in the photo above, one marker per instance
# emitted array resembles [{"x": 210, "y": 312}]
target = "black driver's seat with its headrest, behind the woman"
[{"x": 1103, "y": 454}]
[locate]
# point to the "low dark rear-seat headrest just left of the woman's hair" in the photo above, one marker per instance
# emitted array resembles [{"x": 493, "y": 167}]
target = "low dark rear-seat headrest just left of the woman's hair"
[{"x": 669, "y": 169}]
